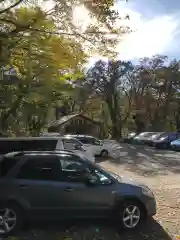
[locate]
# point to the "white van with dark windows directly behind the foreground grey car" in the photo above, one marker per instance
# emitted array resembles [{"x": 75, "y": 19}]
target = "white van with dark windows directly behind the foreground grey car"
[{"x": 44, "y": 144}]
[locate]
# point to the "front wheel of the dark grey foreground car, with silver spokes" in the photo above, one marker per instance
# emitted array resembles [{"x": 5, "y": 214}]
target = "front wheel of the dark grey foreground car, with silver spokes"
[{"x": 130, "y": 215}]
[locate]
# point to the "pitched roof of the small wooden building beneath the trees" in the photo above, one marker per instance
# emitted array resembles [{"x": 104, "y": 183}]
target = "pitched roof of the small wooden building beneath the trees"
[{"x": 66, "y": 118}]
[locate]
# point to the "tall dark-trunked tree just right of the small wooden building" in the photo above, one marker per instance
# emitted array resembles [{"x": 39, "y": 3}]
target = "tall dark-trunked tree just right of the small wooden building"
[{"x": 108, "y": 80}]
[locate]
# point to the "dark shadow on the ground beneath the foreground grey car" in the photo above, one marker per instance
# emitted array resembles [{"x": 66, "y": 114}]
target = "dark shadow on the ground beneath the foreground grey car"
[{"x": 98, "y": 231}]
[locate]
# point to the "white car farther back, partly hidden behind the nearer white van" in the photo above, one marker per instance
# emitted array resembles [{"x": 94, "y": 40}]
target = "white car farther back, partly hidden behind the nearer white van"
[{"x": 98, "y": 147}]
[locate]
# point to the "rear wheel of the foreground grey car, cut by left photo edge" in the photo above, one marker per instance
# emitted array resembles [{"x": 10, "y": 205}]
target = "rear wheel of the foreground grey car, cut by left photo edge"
[{"x": 13, "y": 212}]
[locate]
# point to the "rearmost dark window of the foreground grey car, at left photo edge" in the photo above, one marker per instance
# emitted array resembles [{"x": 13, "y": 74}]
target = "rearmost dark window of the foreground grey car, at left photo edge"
[{"x": 6, "y": 164}]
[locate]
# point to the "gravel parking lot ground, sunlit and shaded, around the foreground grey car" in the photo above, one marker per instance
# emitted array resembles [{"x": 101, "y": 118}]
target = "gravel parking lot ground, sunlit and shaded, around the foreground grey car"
[{"x": 160, "y": 169}]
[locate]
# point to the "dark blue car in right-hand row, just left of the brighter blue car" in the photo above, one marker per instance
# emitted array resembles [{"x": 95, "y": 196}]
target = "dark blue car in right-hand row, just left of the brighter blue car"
[{"x": 165, "y": 140}]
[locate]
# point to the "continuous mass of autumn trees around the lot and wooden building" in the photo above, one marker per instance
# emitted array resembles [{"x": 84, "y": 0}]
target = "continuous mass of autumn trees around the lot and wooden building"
[{"x": 42, "y": 57}]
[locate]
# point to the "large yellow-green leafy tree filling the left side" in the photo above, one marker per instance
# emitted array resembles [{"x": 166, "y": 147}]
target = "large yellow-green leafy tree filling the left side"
[{"x": 42, "y": 62}]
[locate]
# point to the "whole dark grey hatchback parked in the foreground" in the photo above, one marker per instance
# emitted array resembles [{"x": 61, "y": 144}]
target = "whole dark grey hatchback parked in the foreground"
[{"x": 60, "y": 185}]
